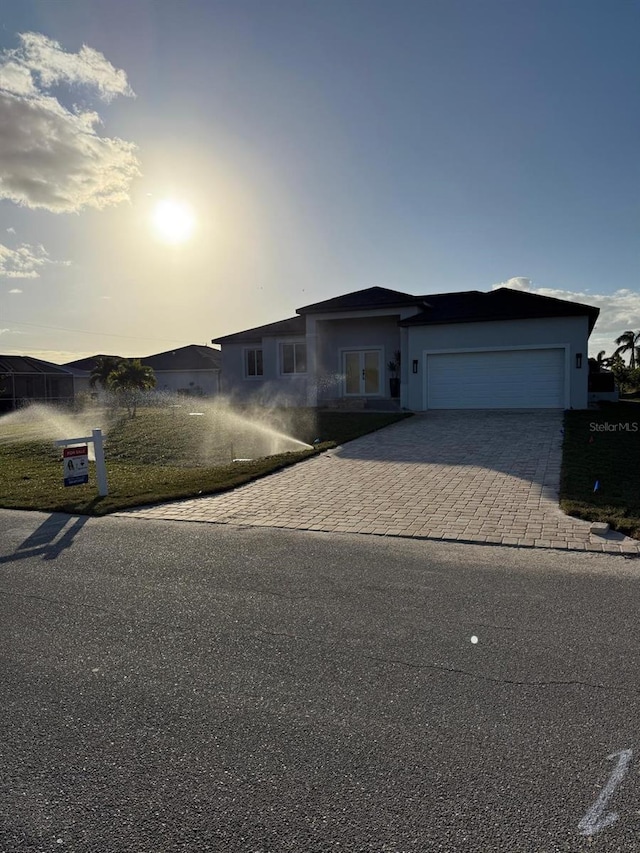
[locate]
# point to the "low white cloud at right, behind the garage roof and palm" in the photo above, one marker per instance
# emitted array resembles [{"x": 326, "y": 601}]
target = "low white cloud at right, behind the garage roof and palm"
[{"x": 619, "y": 311}]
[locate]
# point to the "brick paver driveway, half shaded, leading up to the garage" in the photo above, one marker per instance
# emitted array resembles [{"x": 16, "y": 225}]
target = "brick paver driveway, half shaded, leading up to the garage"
[{"x": 474, "y": 476}]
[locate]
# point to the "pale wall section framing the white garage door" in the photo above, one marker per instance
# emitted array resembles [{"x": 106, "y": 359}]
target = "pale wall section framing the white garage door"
[{"x": 569, "y": 331}]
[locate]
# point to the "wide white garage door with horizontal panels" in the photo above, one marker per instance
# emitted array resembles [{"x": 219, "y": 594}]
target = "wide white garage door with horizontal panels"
[{"x": 502, "y": 379}]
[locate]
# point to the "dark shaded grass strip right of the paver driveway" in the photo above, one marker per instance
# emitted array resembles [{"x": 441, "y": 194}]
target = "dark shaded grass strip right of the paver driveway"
[{"x": 603, "y": 445}]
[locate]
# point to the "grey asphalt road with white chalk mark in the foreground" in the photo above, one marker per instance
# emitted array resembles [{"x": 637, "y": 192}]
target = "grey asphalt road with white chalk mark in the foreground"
[{"x": 195, "y": 687}]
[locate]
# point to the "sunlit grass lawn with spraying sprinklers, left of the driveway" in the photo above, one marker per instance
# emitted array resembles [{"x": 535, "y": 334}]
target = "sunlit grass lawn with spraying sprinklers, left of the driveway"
[{"x": 164, "y": 454}]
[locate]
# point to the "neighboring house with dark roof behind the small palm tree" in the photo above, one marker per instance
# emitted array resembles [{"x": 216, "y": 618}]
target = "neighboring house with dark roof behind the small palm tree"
[{"x": 192, "y": 369}]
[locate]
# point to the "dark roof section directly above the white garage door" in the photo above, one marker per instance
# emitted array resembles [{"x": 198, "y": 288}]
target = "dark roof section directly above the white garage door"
[{"x": 505, "y": 303}]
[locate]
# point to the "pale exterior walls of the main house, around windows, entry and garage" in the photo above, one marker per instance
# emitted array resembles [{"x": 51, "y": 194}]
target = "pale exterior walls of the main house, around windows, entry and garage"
[{"x": 329, "y": 334}]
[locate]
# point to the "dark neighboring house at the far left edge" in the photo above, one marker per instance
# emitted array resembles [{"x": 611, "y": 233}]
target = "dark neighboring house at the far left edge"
[{"x": 25, "y": 380}]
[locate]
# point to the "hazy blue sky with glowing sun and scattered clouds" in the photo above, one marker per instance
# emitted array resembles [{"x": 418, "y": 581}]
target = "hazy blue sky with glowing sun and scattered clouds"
[{"x": 171, "y": 172}]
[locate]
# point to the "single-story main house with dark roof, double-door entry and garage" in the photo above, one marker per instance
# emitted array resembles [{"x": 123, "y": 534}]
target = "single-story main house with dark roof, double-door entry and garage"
[{"x": 502, "y": 349}]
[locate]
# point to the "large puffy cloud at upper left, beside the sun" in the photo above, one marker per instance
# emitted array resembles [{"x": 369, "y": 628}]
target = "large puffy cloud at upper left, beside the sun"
[{"x": 51, "y": 156}]
